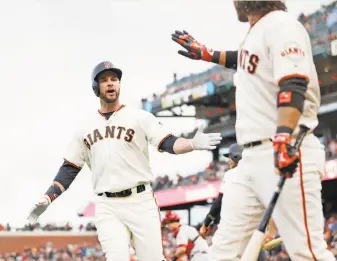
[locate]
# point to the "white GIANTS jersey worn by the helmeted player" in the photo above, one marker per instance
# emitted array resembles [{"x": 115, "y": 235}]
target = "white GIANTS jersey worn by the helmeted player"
[{"x": 116, "y": 149}]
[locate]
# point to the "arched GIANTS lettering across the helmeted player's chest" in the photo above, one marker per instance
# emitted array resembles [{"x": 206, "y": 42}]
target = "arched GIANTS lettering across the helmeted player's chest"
[{"x": 112, "y": 132}]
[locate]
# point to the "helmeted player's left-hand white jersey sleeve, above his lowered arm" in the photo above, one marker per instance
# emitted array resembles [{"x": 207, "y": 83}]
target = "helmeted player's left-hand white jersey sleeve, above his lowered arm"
[{"x": 76, "y": 151}]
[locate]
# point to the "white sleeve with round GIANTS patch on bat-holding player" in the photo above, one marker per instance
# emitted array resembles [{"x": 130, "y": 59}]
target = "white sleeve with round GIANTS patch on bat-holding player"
[{"x": 289, "y": 49}]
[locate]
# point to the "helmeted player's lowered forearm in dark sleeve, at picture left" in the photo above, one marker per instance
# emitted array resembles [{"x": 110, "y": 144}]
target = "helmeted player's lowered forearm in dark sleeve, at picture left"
[{"x": 65, "y": 176}]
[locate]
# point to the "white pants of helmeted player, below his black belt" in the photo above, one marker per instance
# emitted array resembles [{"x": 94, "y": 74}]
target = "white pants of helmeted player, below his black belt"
[{"x": 136, "y": 216}]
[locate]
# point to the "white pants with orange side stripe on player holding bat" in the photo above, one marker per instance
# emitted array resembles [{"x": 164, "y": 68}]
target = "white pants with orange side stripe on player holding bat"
[{"x": 298, "y": 214}]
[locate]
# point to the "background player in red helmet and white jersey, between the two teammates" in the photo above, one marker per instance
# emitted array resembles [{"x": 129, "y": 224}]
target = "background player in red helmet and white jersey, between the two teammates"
[{"x": 188, "y": 241}]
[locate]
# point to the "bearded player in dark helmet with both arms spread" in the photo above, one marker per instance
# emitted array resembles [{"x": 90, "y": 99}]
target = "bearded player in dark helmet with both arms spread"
[{"x": 113, "y": 142}]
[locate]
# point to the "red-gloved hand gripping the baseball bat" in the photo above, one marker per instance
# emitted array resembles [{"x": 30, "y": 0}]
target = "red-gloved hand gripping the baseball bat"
[{"x": 285, "y": 156}]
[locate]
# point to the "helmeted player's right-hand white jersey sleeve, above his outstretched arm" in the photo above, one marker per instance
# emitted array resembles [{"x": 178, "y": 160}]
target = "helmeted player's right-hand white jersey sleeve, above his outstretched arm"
[{"x": 155, "y": 131}]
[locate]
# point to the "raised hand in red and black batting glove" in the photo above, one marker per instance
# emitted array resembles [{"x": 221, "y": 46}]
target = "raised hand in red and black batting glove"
[{"x": 194, "y": 50}]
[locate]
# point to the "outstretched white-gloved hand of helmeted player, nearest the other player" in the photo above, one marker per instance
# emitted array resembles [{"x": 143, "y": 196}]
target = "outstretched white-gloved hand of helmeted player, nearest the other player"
[{"x": 205, "y": 141}]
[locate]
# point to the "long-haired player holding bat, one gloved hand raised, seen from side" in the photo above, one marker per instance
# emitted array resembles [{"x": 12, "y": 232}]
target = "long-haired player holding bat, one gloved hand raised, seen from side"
[{"x": 276, "y": 90}]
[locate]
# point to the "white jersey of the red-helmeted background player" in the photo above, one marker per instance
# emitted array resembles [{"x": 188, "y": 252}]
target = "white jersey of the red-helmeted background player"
[{"x": 185, "y": 237}]
